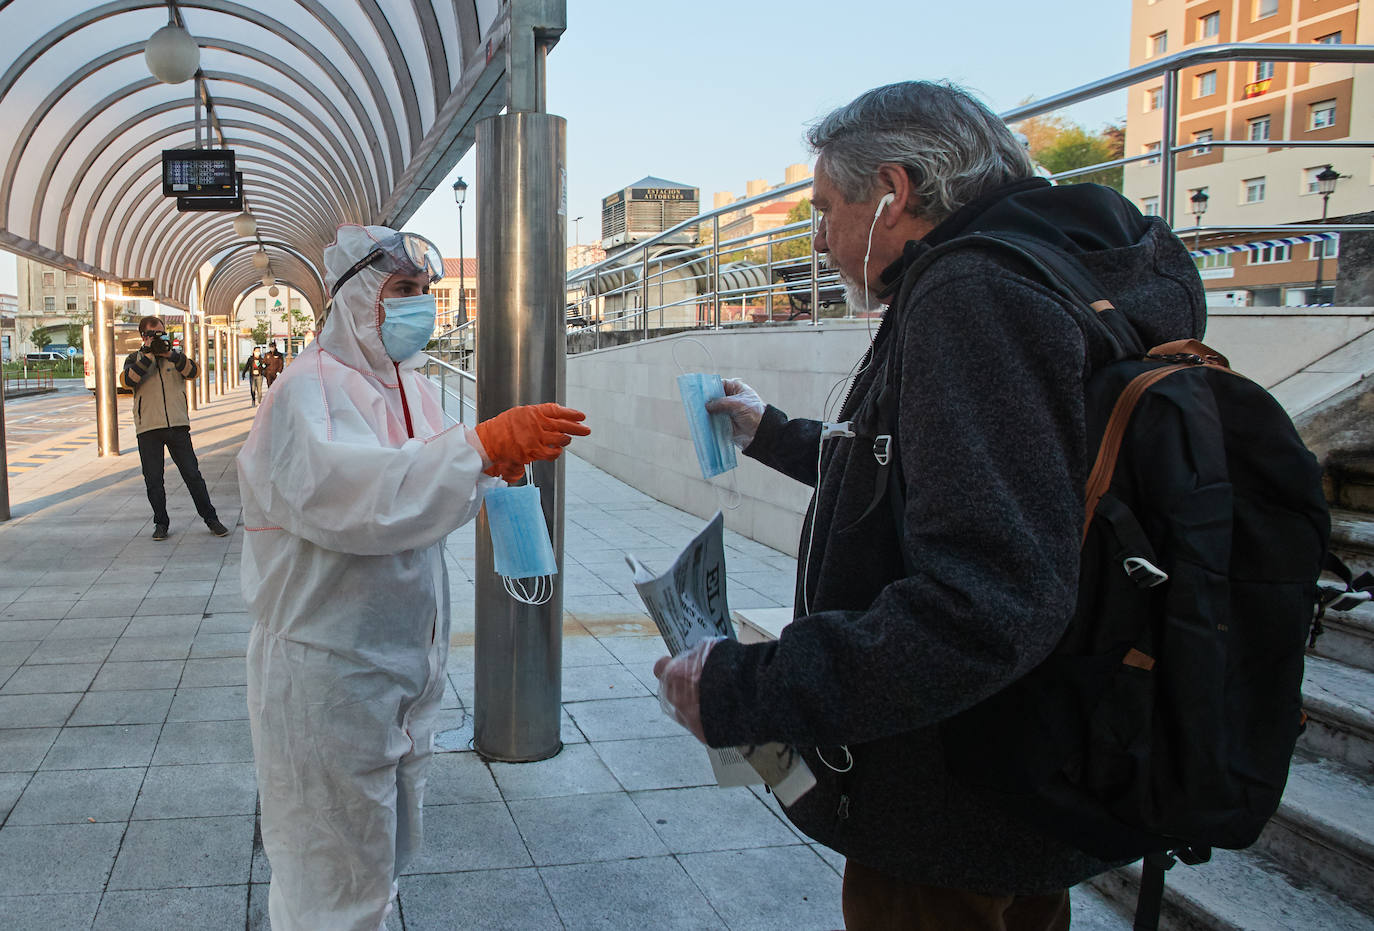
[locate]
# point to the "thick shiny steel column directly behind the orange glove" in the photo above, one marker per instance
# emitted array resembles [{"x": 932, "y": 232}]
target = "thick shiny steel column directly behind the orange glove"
[{"x": 521, "y": 235}]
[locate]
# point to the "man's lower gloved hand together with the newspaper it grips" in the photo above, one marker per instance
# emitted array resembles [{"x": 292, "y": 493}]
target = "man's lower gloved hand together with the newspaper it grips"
[{"x": 689, "y": 606}]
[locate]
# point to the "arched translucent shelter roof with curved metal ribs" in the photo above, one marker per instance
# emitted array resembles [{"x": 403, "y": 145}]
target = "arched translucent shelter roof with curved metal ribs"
[{"x": 337, "y": 111}]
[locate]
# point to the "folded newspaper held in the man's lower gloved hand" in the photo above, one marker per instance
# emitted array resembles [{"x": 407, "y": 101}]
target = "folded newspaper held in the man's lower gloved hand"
[{"x": 689, "y": 604}]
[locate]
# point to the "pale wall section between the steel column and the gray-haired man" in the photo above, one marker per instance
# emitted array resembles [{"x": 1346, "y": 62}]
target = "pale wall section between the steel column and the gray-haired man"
[{"x": 640, "y": 430}]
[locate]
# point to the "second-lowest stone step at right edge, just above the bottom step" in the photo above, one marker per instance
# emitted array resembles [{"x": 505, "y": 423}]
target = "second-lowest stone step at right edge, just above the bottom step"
[{"x": 1325, "y": 829}]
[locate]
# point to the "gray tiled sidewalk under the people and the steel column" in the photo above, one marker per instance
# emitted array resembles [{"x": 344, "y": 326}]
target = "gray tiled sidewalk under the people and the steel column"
[{"x": 127, "y": 789}]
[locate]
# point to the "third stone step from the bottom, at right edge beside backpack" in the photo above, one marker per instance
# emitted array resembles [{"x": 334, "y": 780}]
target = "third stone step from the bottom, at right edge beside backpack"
[{"x": 1340, "y": 705}]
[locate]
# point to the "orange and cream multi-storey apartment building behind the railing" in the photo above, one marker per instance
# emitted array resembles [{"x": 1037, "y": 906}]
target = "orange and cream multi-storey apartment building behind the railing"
[{"x": 1257, "y": 102}]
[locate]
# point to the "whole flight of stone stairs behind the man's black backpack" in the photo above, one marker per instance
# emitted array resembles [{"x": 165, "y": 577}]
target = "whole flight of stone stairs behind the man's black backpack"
[{"x": 1314, "y": 864}]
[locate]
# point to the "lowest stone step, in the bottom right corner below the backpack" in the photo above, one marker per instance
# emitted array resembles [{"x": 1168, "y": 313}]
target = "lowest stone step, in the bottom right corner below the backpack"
[{"x": 1237, "y": 892}]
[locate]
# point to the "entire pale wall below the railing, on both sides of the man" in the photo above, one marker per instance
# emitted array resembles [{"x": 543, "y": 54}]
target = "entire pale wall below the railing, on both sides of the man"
[{"x": 630, "y": 395}]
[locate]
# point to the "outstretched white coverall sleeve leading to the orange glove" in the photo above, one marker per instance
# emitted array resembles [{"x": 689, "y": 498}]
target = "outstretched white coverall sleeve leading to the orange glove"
[{"x": 329, "y": 480}]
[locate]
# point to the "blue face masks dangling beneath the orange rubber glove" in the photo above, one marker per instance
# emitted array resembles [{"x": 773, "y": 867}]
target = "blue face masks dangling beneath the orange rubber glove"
[{"x": 521, "y": 549}]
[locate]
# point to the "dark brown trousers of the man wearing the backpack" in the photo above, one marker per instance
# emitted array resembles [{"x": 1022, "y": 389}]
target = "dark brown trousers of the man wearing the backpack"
[{"x": 877, "y": 903}]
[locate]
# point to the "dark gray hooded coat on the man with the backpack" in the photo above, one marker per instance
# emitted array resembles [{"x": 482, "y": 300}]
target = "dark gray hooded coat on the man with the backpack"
[{"x": 993, "y": 448}]
